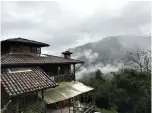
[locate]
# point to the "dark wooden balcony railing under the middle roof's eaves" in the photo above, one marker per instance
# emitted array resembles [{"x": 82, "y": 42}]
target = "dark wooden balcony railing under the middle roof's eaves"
[{"x": 63, "y": 78}]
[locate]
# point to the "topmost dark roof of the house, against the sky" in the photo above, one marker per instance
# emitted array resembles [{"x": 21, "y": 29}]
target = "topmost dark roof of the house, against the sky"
[{"x": 22, "y": 40}]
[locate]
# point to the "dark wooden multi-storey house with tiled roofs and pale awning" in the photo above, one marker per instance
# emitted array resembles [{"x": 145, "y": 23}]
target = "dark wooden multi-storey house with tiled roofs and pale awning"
[{"x": 30, "y": 78}]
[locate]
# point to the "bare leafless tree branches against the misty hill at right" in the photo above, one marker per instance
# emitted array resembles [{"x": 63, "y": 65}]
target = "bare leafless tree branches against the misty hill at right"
[{"x": 141, "y": 60}]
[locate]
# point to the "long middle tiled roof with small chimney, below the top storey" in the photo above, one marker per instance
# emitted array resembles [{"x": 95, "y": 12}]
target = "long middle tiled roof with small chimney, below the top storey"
[{"x": 13, "y": 59}]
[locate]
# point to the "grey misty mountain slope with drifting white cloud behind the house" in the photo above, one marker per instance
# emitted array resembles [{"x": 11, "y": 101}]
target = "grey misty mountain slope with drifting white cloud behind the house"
[{"x": 110, "y": 50}]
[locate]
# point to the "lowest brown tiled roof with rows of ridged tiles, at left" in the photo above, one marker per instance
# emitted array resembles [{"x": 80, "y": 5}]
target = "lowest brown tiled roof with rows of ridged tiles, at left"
[{"x": 23, "y": 82}]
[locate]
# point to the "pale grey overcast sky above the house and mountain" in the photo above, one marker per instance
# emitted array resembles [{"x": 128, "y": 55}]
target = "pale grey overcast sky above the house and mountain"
[{"x": 69, "y": 23}]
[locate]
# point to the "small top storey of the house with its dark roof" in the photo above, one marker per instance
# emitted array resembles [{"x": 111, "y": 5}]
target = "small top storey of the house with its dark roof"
[{"x": 20, "y": 45}]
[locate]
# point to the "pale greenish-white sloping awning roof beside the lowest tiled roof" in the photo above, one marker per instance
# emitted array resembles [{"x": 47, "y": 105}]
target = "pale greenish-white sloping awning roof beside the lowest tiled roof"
[{"x": 64, "y": 91}]
